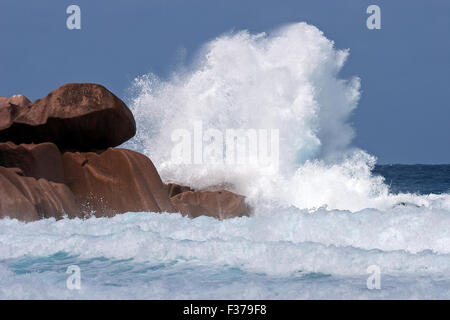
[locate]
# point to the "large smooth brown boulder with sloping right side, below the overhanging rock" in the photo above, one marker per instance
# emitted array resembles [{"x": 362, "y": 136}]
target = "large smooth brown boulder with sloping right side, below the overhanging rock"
[{"x": 115, "y": 181}]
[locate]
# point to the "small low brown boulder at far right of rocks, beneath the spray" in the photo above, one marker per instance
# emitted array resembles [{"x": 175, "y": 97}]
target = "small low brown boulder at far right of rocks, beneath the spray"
[{"x": 221, "y": 204}]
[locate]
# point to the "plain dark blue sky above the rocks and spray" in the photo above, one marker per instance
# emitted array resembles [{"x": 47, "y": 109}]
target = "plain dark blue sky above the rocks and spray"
[{"x": 403, "y": 115}]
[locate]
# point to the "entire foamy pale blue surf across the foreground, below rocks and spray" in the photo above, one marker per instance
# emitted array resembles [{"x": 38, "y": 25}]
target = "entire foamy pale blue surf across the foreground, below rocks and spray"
[{"x": 144, "y": 255}]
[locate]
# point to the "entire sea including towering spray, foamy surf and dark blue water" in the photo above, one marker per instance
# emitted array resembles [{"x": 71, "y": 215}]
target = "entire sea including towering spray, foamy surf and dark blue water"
[{"x": 319, "y": 222}]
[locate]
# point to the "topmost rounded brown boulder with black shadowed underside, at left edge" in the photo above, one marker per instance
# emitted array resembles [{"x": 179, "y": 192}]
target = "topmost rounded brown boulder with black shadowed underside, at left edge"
[{"x": 76, "y": 116}]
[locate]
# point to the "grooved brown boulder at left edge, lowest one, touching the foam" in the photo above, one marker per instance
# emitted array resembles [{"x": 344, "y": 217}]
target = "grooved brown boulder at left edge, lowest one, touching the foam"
[{"x": 28, "y": 199}]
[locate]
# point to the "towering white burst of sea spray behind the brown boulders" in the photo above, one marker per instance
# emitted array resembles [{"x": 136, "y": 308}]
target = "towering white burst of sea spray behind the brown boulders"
[{"x": 286, "y": 80}]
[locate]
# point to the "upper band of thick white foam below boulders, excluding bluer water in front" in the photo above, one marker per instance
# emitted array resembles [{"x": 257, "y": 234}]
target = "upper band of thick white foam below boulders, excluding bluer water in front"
[{"x": 289, "y": 241}]
